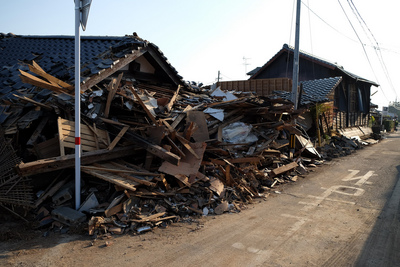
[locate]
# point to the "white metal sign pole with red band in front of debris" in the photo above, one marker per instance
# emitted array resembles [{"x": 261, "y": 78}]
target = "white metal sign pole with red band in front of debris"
[{"x": 77, "y": 106}]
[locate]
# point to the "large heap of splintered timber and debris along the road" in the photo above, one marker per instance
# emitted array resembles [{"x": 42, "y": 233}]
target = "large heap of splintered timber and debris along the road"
[{"x": 151, "y": 155}]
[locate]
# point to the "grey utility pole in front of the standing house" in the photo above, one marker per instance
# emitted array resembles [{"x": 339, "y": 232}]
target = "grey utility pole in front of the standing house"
[{"x": 295, "y": 81}]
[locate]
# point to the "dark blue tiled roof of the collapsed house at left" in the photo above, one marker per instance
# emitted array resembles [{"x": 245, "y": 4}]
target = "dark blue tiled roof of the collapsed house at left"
[{"x": 55, "y": 54}]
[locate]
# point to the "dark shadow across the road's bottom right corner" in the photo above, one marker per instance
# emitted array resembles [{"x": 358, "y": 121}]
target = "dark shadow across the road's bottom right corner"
[{"x": 382, "y": 247}]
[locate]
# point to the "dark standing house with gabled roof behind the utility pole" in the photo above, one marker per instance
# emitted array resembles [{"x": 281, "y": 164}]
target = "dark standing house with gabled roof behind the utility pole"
[{"x": 323, "y": 81}]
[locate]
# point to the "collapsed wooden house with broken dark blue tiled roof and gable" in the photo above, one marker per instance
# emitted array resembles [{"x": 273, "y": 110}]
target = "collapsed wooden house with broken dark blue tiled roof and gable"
[{"x": 37, "y": 96}]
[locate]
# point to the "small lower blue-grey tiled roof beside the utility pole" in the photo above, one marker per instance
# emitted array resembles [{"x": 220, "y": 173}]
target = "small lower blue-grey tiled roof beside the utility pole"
[{"x": 315, "y": 91}]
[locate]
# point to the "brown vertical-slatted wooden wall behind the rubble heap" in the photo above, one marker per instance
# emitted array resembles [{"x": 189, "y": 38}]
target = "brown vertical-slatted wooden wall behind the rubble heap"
[{"x": 261, "y": 87}]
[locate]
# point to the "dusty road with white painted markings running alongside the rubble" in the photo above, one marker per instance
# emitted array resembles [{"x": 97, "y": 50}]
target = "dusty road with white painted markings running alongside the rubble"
[{"x": 345, "y": 213}]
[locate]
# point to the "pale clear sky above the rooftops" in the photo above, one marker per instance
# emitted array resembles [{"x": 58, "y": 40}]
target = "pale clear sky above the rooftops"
[{"x": 201, "y": 37}]
